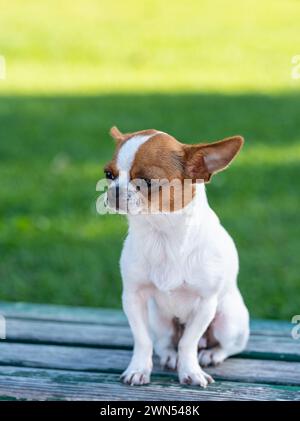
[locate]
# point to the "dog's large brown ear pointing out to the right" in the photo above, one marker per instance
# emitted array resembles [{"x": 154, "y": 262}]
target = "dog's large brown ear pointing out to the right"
[{"x": 202, "y": 161}]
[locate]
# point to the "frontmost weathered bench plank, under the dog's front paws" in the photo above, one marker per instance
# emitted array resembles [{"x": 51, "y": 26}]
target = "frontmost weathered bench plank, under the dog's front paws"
[{"x": 39, "y": 384}]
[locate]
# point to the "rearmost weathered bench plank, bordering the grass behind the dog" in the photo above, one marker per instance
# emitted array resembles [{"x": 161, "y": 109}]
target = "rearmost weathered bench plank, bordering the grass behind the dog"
[{"x": 109, "y": 316}]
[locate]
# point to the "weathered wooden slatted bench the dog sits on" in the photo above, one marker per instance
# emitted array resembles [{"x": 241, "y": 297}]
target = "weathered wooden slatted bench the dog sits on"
[{"x": 56, "y": 352}]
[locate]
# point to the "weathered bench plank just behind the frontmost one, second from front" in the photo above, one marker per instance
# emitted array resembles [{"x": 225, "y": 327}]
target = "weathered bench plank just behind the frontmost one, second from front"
[{"x": 107, "y": 360}]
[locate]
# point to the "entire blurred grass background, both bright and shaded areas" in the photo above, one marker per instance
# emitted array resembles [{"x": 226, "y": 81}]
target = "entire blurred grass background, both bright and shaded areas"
[{"x": 201, "y": 70}]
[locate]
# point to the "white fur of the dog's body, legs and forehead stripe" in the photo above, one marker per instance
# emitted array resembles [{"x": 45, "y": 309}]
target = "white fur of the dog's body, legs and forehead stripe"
[{"x": 181, "y": 265}]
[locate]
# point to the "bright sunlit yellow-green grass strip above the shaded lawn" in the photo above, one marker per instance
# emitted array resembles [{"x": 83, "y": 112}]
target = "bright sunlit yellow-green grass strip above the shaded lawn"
[{"x": 112, "y": 46}]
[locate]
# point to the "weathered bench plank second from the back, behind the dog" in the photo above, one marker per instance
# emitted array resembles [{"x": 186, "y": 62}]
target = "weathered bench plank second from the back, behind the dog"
[{"x": 32, "y": 331}]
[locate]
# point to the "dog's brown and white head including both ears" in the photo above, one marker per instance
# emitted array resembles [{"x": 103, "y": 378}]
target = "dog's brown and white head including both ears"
[{"x": 153, "y": 172}]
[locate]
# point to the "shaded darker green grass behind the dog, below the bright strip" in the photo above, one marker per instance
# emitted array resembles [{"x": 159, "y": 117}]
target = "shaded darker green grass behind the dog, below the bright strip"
[{"x": 54, "y": 248}]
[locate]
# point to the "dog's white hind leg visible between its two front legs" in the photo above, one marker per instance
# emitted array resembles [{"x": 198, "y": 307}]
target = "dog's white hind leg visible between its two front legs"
[{"x": 164, "y": 333}]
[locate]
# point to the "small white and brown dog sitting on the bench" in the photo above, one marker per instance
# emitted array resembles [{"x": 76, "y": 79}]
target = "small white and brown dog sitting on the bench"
[{"x": 179, "y": 266}]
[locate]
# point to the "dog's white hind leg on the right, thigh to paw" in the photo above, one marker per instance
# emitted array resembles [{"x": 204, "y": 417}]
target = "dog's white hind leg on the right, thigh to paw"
[{"x": 229, "y": 329}]
